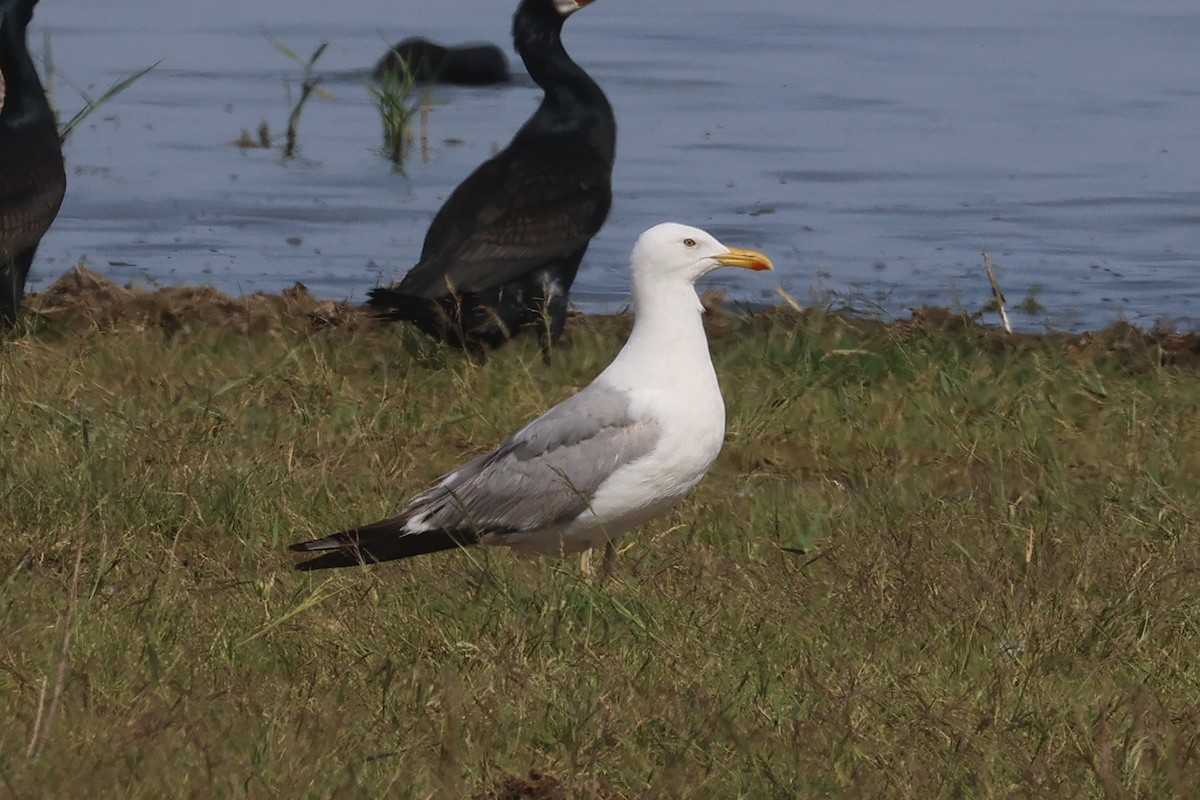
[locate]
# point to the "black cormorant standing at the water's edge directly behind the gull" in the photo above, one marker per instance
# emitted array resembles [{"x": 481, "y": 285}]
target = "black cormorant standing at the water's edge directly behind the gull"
[{"x": 503, "y": 251}]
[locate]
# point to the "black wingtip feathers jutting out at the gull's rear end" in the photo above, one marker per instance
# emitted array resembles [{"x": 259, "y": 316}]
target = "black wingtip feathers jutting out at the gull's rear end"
[{"x": 382, "y": 542}]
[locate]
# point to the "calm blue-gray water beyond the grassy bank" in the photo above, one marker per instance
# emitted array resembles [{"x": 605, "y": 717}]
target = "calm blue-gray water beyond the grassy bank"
[{"x": 873, "y": 149}]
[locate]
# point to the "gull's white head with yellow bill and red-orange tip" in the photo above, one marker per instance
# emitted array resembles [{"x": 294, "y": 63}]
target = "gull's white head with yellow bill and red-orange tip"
[{"x": 675, "y": 251}]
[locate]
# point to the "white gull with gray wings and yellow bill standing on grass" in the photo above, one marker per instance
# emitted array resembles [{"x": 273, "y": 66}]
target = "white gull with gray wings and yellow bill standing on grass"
[{"x": 623, "y": 450}]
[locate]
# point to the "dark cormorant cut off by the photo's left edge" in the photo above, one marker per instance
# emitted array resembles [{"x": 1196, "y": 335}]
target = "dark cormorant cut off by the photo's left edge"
[{"x": 33, "y": 179}]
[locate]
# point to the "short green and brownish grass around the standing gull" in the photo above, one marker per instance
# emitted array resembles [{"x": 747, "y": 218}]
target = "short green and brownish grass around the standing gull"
[{"x": 925, "y": 567}]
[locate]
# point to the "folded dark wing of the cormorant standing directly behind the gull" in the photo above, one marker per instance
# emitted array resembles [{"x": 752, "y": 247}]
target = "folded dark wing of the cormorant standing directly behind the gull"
[{"x": 515, "y": 214}]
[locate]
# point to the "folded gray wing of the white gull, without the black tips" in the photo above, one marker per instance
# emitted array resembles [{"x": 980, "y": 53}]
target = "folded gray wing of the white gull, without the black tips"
[{"x": 544, "y": 474}]
